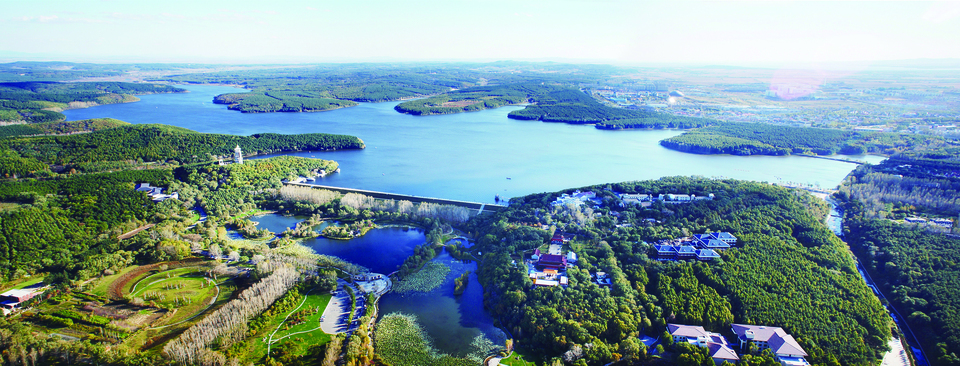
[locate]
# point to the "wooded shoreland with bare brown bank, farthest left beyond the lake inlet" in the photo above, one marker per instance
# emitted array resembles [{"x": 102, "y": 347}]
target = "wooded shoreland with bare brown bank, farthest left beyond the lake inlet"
[{"x": 37, "y": 102}]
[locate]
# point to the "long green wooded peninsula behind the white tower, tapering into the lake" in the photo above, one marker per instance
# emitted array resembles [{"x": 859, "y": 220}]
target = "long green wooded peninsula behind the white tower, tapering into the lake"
[{"x": 146, "y": 143}]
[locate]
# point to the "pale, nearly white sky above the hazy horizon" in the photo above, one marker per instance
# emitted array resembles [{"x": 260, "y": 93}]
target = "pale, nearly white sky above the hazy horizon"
[{"x": 482, "y": 30}]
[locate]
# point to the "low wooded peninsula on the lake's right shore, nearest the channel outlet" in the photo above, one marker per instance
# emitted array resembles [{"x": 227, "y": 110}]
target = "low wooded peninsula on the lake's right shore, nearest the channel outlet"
[{"x": 767, "y": 139}]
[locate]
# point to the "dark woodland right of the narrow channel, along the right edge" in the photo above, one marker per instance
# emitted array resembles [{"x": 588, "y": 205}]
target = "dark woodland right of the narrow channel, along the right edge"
[{"x": 913, "y": 264}]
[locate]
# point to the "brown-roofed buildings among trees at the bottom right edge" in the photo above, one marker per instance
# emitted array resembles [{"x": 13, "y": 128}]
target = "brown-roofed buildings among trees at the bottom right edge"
[{"x": 783, "y": 346}]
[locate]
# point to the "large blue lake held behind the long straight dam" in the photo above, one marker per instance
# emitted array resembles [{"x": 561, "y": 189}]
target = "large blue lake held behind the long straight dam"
[{"x": 469, "y": 156}]
